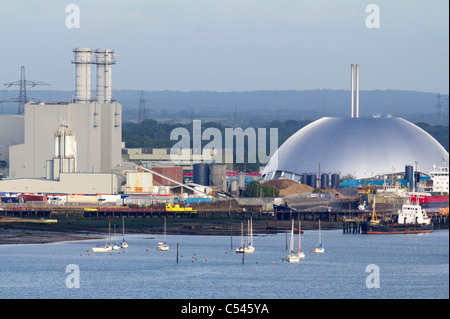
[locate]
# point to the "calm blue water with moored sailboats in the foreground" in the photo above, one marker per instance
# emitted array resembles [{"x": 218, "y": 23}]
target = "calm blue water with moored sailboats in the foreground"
[{"x": 410, "y": 266}]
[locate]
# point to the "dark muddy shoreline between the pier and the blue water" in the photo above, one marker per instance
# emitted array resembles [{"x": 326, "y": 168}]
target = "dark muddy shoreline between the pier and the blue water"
[{"x": 88, "y": 229}]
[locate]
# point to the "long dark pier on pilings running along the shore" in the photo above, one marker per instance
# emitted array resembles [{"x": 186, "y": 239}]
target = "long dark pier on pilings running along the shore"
[{"x": 351, "y": 219}]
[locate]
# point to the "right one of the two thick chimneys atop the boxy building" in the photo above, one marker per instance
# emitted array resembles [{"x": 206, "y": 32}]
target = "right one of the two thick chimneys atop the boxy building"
[{"x": 104, "y": 60}]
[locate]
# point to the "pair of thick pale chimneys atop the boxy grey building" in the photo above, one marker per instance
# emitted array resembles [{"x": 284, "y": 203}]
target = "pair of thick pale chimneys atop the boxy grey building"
[{"x": 104, "y": 60}]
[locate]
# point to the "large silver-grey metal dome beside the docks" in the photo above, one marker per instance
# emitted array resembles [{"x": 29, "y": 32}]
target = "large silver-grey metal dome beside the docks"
[{"x": 356, "y": 146}]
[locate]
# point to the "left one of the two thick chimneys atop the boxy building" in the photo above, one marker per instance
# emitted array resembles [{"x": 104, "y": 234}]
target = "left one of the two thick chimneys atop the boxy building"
[{"x": 82, "y": 63}]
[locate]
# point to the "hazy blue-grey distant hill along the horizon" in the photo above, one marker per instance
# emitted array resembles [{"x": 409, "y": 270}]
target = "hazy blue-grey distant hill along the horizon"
[{"x": 236, "y": 107}]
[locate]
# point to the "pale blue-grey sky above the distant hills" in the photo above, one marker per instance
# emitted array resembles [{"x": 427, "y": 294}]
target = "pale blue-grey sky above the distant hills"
[{"x": 232, "y": 45}]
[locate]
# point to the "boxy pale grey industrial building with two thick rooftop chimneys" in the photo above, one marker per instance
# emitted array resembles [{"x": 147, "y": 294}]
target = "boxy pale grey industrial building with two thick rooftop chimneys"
[{"x": 67, "y": 147}]
